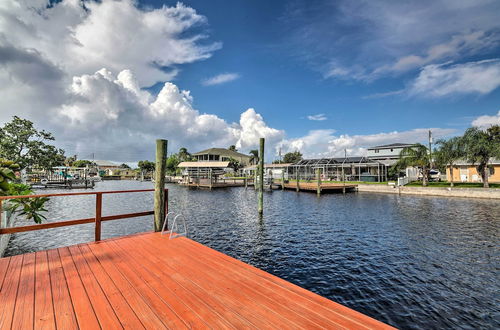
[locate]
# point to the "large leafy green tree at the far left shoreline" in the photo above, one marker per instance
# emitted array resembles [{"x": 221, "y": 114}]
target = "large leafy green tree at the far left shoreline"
[{"x": 22, "y": 143}]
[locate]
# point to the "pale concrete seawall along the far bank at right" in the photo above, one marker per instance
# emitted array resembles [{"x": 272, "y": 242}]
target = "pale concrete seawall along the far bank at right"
[{"x": 491, "y": 193}]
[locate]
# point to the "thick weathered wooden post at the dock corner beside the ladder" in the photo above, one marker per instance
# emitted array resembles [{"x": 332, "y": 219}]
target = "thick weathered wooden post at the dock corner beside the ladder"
[{"x": 160, "y": 167}]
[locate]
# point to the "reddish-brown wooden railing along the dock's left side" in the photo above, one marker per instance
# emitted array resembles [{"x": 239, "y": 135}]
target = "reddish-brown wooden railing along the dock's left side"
[{"x": 98, "y": 212}]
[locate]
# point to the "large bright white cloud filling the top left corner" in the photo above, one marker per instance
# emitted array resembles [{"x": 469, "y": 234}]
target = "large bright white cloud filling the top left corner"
[{"x": 82, "y": 37}]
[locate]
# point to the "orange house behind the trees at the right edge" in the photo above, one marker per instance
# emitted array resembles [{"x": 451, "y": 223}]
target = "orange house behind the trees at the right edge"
[{"x": 464, "y": 171}]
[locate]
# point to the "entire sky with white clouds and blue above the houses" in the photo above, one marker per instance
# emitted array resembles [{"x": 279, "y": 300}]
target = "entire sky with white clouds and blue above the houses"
[{"x": 110, "y": 77}]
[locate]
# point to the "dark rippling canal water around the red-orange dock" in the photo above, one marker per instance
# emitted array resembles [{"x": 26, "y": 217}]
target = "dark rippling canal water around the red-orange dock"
[{"x": 410, "y": 261}]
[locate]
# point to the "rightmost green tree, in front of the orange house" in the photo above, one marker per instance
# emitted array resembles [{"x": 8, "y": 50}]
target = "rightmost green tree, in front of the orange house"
[{"x": 480, "y": 147}]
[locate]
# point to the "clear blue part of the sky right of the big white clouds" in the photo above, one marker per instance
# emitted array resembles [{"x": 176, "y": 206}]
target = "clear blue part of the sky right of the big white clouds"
[{"x": 282, "y": 80}]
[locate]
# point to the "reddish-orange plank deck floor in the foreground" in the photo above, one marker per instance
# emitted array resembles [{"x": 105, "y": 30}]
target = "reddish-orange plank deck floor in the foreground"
[{"x": 148, "y": 281}]
